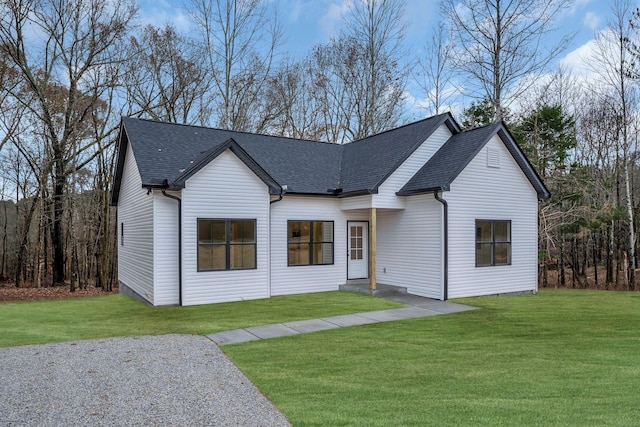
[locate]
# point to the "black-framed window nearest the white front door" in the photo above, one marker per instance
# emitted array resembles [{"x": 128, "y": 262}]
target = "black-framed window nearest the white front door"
[{"x": 310, "y": 242}]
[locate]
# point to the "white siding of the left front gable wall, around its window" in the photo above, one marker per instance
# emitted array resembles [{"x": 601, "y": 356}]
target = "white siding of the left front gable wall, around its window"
[{"x": 225, "y": 188}]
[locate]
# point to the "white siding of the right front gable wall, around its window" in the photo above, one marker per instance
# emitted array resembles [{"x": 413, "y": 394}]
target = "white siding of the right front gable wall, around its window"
[{"x": 482, "y": 192}]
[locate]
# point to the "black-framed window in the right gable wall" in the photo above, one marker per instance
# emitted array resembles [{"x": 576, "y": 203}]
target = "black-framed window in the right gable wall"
[{"x": 493, "y": 242}]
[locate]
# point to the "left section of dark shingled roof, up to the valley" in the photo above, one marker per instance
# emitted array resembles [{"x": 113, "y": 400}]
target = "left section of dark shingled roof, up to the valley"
[{"x": 167, "y": 154}]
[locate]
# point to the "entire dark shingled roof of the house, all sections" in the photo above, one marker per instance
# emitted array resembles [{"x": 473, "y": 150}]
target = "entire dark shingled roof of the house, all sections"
[{"x": 168, "y": 154}]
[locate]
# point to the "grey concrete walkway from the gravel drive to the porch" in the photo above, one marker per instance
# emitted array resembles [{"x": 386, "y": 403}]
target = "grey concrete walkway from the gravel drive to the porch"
[{"x": 418, "y": 307}]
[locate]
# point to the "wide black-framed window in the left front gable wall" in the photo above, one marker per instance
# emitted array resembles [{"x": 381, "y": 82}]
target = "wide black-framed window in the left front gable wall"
[{"x": 226, "y": 244}]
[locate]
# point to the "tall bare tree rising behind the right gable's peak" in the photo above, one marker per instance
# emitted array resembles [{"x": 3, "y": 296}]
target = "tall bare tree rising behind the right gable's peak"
[{"x": 498, "y": 43}]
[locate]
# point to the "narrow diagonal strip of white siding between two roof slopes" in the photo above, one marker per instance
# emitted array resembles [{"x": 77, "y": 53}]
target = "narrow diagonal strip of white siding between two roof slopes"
[{"x": 386, "y": 197}]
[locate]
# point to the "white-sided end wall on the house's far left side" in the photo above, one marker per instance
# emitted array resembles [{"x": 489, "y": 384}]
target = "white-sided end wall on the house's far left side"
[{"x": 135, "y": 248}]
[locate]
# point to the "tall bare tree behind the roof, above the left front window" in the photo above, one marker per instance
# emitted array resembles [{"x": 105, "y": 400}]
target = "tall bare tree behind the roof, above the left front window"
[{"x": 240, "y": 38}]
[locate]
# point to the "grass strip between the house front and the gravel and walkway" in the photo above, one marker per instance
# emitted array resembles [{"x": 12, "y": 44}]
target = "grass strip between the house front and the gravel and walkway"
[{"x": 117, "y": 315}]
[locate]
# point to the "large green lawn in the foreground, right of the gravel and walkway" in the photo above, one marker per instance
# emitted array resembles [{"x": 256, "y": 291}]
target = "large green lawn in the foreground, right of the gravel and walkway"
[{"x": 560, "y": 357}]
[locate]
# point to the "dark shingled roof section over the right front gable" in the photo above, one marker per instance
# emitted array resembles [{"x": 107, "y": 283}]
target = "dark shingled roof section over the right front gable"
[{"x": 454, "y": 155}]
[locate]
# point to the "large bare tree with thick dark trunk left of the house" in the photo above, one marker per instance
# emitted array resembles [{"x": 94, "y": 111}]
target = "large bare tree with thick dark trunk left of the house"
[{"x": 76, "y": 45}]
